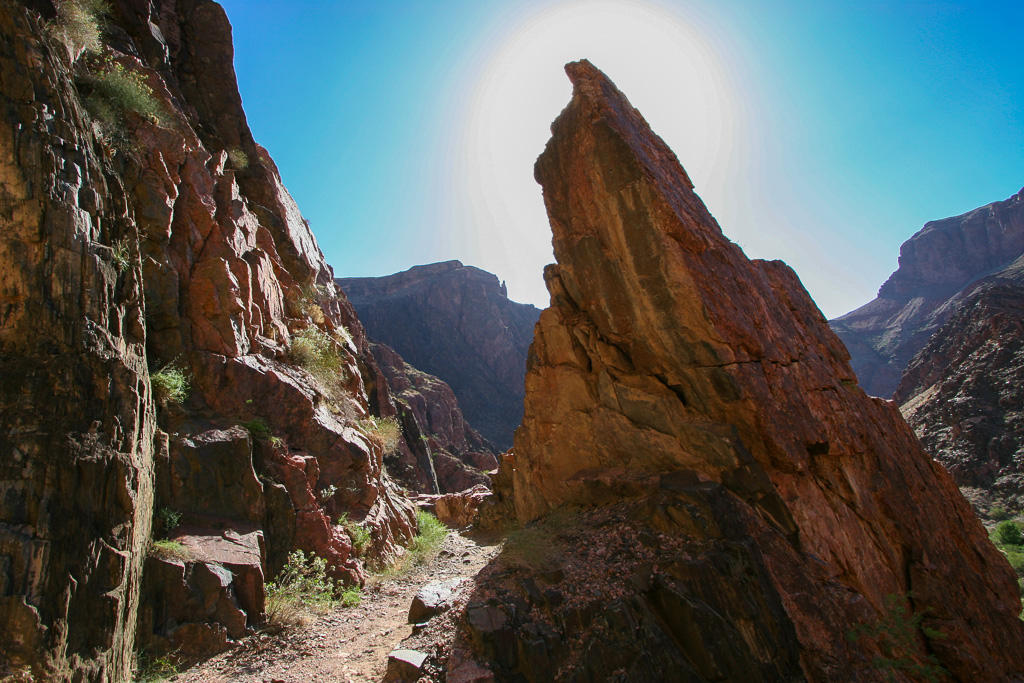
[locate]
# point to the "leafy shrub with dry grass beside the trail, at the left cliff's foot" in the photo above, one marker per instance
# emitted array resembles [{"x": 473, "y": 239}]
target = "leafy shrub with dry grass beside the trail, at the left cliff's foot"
[{"x": 304, "y": 588}]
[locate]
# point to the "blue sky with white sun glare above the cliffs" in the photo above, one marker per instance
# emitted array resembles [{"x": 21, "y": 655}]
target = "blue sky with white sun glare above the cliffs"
[{"x": 824, "y": 134}]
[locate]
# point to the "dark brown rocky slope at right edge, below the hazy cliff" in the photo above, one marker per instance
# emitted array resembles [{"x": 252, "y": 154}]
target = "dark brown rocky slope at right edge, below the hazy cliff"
[{"x": 964, "y": 394}]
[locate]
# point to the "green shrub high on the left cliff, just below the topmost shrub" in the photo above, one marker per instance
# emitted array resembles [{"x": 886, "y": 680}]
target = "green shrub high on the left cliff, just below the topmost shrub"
[{"x": 112, "y": 93}]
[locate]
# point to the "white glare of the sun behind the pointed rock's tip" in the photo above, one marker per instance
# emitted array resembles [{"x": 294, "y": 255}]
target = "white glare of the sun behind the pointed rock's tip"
[{"x": 657, "y": 58}]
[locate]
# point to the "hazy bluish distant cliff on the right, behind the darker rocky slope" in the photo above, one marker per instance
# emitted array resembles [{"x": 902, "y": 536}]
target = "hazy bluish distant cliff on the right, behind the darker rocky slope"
[{"x": 941, "y": 269}]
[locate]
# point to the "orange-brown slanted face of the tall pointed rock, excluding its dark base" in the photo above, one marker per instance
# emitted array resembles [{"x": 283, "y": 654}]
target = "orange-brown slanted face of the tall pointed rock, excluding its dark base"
[{"x": 666, "y": 350}]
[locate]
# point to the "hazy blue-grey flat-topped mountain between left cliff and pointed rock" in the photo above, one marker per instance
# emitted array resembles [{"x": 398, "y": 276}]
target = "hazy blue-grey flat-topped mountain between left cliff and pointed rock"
[{"x": 455, "y": 322}]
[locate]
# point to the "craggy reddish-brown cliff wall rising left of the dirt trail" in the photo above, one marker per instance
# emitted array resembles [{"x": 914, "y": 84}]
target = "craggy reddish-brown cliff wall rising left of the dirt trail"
[{"x": 127, "y": 246}]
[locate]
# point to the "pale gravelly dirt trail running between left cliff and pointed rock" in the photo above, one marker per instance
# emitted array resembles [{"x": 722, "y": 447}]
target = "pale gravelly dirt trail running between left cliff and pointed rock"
[{"x": 347, "y": 645}]
